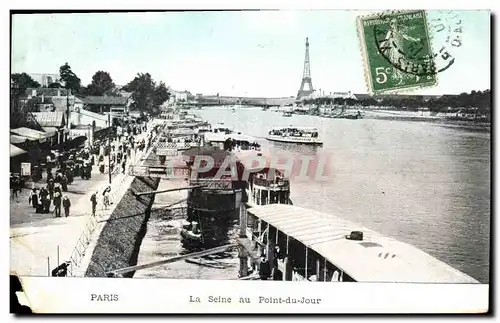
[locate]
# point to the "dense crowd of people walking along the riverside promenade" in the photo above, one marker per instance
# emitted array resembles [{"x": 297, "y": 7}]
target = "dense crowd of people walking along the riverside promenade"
[{"x": 62, "y": 167}]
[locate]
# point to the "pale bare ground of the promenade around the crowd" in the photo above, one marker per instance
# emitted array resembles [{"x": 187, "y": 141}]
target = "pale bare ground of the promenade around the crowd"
[{"x": 40, "y": 242}]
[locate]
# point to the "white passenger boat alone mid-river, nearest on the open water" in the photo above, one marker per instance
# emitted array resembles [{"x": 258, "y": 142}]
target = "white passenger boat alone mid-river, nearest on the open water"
[{"x": 299, "y": 135}]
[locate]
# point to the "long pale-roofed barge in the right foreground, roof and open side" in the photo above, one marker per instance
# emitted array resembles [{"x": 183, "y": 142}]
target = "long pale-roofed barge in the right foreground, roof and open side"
[{"x": 299, "y": 244}]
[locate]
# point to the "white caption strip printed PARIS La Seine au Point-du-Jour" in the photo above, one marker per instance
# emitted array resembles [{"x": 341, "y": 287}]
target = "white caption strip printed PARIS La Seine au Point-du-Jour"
[{"x": 122, "y": 295}]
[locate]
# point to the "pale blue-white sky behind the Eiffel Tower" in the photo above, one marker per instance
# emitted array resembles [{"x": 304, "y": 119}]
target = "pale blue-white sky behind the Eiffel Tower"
[{"x": 239, "y": 53}]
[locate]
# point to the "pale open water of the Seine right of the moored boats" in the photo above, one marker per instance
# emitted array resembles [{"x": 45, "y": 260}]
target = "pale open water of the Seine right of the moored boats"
[{"x": 422, "y": 183}]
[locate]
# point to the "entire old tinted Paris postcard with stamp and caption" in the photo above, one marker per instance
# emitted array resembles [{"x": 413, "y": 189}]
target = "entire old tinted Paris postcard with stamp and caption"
[{"x": 251, "y": 161}]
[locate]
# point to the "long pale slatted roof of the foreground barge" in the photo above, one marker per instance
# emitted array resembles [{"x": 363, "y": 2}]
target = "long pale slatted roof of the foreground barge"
[{"x": 377, "y": 258}]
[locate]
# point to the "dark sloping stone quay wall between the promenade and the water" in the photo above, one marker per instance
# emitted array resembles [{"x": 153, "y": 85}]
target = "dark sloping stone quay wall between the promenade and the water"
[{"x": 121, "y": 237}]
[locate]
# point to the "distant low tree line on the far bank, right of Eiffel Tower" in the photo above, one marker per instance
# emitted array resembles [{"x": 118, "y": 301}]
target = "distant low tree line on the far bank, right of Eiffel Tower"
[{"x": 479, "y": 100}]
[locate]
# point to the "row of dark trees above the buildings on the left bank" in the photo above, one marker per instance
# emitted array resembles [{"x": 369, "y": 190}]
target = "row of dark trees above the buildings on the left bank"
[{"x": 147, "y": 95}]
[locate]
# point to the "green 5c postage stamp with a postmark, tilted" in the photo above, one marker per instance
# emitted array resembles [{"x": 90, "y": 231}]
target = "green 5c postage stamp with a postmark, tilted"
[{"x": 397, "y": 51}]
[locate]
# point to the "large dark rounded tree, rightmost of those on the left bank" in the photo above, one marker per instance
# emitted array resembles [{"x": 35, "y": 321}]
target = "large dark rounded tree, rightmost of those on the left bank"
[{"x": 143, "y": 89}]
